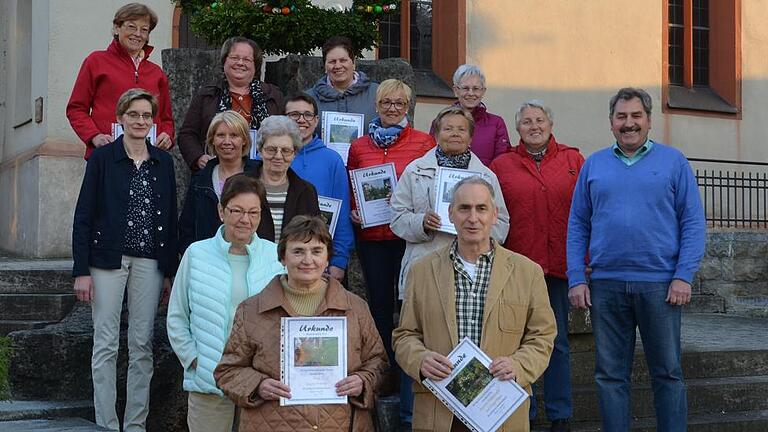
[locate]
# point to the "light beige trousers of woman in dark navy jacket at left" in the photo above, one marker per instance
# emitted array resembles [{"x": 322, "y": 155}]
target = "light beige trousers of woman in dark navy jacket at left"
[{"x": 144, "y": 284}]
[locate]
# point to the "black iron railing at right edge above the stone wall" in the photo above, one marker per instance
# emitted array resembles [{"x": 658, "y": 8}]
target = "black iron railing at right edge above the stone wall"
[{"x": 734, "y": 193}]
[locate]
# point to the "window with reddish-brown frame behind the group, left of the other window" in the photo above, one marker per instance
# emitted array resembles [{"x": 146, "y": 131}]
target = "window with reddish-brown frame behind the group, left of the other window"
[{"x": 408, "y": 34}]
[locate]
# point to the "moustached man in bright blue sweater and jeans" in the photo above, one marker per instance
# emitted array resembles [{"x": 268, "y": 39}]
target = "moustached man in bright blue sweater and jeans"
[{"x": 637, "y": 215}]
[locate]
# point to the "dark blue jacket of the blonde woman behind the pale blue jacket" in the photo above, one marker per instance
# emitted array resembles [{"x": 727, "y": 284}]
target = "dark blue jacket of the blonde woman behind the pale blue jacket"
[{"x": 199, "y": 218}]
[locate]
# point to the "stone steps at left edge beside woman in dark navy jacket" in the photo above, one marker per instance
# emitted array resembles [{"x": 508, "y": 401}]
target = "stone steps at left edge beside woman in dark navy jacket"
[{"x": 34, "y": 293}]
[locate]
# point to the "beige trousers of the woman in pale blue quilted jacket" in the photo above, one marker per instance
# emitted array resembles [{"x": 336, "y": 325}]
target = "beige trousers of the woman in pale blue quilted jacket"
[{"x": 209, "y": 413}]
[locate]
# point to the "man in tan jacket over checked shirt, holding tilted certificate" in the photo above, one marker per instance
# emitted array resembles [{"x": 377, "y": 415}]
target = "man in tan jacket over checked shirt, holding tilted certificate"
[{"x": 477, "y": 289}]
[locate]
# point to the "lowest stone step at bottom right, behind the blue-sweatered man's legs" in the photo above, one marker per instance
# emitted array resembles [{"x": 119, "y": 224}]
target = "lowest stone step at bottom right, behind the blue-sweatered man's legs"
[{"x": 738, "y": 421}]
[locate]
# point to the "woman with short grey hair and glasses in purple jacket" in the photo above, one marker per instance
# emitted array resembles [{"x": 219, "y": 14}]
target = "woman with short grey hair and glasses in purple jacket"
[{"x": 490, "y": 138}]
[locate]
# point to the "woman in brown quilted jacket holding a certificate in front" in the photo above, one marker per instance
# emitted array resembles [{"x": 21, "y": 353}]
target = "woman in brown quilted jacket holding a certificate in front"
[{"x": 249, "y": 370}]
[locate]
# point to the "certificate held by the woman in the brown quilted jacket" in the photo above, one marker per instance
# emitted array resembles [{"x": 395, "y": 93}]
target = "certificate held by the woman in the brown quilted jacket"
[{"x": 313, "y": 359}]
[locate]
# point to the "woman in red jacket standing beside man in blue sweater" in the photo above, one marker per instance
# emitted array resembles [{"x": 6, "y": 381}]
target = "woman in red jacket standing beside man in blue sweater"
[{"x": 537, "y": 179}]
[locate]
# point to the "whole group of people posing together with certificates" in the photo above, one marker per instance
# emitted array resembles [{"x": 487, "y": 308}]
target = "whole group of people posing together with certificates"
[{"x": 538, "y": 230}]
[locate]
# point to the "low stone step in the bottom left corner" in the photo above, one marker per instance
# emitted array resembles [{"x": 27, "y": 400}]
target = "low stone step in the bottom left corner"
[{"x": 30, "y": 410}]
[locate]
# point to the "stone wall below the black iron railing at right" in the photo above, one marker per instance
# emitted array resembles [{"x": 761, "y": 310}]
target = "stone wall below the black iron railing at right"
[{"x": 735, "y": 269}]
